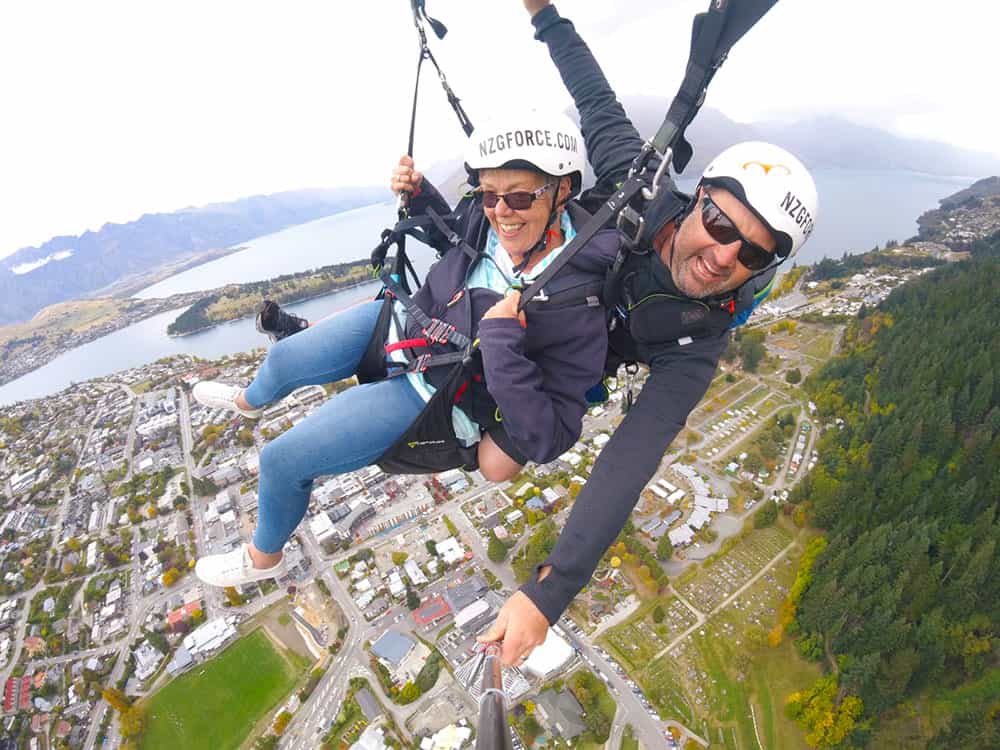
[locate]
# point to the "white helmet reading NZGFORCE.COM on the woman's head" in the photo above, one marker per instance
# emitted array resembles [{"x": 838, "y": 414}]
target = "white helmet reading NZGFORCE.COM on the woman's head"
[{"x": 549, "y": 142}]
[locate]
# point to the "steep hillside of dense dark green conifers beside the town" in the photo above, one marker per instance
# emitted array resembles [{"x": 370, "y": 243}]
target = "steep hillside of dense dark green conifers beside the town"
[{"x": 905, "y": 598}]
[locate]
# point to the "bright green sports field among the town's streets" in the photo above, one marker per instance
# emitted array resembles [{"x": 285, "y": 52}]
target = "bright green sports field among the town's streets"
[{"x": 216, "y": 704}]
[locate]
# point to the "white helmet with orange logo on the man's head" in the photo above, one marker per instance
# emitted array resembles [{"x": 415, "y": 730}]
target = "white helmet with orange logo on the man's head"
[{"x": 773, "y": 184}]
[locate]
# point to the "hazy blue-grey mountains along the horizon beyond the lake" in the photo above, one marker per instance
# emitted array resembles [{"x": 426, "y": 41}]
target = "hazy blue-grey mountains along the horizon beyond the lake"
[{"x": 66, "y": 268}]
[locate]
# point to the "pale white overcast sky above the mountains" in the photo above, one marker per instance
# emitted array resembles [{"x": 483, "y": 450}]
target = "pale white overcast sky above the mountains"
[{"x": 115, "y": 109}]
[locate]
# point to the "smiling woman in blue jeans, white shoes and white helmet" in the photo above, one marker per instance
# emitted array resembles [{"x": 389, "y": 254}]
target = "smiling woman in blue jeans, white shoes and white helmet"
[{"x": 527, "y": 398}]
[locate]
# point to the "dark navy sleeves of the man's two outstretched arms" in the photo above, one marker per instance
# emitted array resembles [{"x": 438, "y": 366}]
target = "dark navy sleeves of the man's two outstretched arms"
[{"x": 679, "y": 375}]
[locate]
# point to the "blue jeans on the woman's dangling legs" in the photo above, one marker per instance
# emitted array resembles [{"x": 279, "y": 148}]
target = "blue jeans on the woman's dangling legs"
[{"x": 351, "y": 430}]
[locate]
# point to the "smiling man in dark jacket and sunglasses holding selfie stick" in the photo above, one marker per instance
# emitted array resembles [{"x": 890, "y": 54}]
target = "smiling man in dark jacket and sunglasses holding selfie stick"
[{"x": 711, "y": 263}]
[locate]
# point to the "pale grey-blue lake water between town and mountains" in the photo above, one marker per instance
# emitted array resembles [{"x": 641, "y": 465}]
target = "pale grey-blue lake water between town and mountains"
[{"x": 858, "y": 210}]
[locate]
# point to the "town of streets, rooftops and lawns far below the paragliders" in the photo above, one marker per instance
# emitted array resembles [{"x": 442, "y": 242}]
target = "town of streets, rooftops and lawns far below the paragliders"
[{"x": 110, "y": 490}]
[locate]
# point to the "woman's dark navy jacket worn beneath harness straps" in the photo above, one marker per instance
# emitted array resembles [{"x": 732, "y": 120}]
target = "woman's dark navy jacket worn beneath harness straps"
[{"x": 539, "y": 374}]
